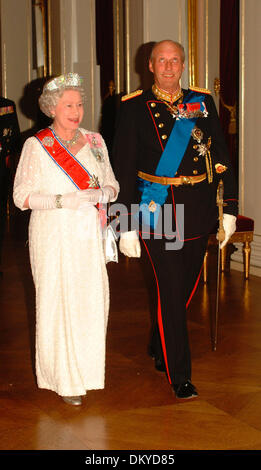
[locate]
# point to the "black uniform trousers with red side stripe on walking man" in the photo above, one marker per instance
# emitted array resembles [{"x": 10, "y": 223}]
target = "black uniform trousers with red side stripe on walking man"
[{"x": 176, "y": 273}]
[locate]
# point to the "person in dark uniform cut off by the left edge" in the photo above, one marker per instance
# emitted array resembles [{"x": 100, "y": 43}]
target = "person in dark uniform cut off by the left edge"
[{"x": 9, "y": 148}]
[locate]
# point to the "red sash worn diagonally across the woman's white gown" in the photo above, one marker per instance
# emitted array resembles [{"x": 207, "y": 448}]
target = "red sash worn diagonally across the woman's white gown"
[{"x": 67, "y": 162}]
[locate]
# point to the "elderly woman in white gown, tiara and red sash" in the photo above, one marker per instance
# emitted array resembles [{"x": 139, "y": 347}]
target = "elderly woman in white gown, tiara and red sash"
[{"x": 64, "y": 177}]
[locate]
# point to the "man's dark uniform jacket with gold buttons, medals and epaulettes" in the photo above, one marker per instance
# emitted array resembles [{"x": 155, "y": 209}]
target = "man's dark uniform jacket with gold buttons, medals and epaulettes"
[{"x": 144, "y": 126}]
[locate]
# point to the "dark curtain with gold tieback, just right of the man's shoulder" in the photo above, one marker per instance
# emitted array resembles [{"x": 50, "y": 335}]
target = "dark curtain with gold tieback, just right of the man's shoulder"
[{"x": 229, "y": 75}]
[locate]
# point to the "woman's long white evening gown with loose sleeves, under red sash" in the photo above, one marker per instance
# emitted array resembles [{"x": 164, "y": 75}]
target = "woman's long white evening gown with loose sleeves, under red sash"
[{"x": 69, "y": 272}]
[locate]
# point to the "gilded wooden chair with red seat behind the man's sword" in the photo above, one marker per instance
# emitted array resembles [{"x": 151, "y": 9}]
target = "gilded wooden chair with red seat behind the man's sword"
[{"x": 243, "y": 234}]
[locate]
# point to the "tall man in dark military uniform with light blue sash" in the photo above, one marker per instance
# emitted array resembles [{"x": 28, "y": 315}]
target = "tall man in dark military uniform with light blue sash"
[{"x": 169, "y": 151}]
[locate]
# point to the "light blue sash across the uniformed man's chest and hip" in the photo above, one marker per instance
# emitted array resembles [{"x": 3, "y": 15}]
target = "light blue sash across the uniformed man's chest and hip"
[{"x": 168, "y": 165}]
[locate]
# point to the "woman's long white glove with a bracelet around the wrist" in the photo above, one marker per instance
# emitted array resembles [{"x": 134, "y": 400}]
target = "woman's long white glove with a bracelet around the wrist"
[{"x": 76, "y": 200}]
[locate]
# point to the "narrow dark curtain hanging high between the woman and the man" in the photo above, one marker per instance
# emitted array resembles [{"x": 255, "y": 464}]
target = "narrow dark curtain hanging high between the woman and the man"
[{"x": 104, "y": 43}]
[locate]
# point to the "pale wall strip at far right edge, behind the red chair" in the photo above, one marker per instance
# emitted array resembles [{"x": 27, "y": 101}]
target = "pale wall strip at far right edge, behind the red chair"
[{"x": 250, "y": 103}]
